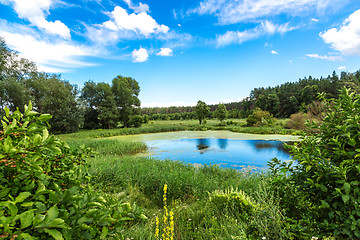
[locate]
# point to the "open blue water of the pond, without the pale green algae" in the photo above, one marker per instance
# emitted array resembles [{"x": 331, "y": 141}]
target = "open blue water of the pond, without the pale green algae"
[{"x": 225, "y": 152}]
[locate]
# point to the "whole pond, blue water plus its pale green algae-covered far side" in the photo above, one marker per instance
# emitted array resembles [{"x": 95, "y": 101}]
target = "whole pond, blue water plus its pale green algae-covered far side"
[{"x": 227, "y": 149}]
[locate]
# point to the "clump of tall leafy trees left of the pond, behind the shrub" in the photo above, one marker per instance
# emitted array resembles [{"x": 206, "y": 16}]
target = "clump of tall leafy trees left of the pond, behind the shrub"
[{"x": 97, "y": 105}]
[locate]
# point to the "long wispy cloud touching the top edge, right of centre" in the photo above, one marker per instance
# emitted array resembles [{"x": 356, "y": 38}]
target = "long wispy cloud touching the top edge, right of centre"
[{"x": 234, "y": 11}]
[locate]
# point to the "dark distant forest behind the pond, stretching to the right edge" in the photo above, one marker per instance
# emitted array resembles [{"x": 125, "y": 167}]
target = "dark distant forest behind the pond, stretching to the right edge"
[{"x": 281, "y": 101}]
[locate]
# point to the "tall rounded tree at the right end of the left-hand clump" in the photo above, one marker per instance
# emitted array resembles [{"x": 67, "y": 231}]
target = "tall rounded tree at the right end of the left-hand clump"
[{"x": 126, "y": 91}]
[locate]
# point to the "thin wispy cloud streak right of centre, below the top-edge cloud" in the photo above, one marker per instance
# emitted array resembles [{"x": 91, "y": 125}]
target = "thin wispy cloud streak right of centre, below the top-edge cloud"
[{"x": 238, "y": 37}]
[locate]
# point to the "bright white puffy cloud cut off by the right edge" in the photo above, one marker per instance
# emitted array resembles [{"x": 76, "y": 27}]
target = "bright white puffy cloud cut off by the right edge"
[{"x": 346, "y": 39}]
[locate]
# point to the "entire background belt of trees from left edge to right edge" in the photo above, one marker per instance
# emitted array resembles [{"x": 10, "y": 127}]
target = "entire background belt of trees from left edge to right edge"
[{"x": 103, "y": 105}]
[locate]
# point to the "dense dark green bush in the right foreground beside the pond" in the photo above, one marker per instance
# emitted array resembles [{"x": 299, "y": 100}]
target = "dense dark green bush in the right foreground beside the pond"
[{"x": 327, "y": 173}]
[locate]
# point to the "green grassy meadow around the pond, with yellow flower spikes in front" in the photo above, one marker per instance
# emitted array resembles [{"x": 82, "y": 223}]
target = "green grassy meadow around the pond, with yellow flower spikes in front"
[{"x": 198, "y": 203}]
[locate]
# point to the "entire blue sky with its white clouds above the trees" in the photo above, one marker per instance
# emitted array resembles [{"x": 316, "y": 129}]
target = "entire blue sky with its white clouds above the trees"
[{"x": 184, "y": 51}]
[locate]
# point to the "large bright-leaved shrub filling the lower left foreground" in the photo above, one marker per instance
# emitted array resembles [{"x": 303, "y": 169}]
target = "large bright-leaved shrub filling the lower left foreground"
[{"x": 43, "y": 186}]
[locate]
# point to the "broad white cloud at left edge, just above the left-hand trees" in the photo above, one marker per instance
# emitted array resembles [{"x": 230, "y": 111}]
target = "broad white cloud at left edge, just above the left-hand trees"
[{"x": 50, "y": 55}]
